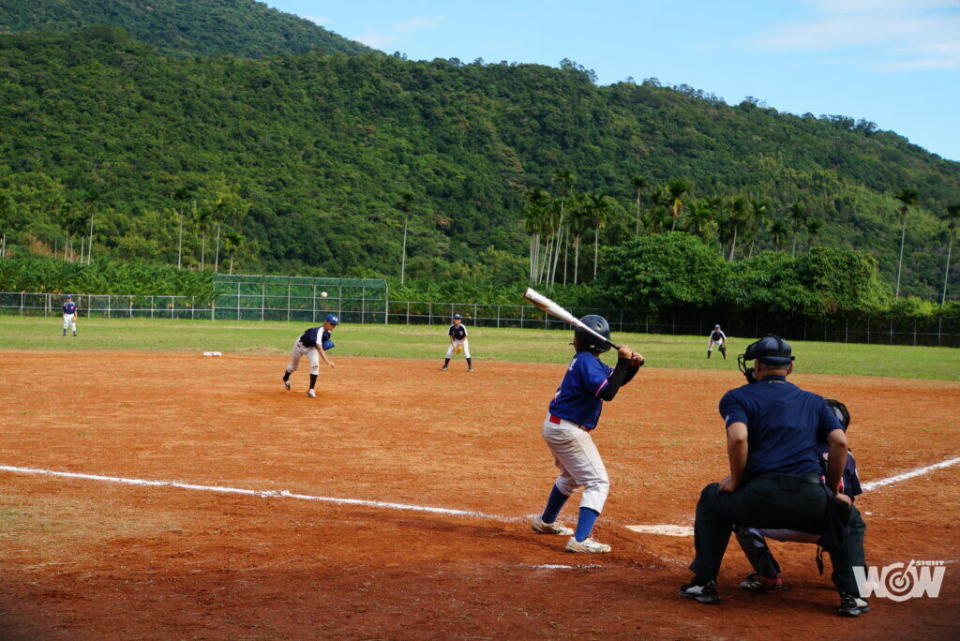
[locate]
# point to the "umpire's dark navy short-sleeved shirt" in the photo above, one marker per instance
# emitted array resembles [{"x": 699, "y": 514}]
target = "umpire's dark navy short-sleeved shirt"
[{"x": 784, "y": 424}]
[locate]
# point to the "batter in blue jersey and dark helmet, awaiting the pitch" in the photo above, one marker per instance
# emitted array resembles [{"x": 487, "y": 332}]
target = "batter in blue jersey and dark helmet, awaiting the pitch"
[{"x": 574, "y": 413}]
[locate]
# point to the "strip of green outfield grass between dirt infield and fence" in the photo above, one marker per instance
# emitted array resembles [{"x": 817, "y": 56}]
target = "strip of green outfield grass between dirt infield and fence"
[{"x": 419, "y": 341}]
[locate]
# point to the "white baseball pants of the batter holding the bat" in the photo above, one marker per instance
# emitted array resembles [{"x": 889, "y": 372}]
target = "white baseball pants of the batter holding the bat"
[{"x": 579, "y": 461}]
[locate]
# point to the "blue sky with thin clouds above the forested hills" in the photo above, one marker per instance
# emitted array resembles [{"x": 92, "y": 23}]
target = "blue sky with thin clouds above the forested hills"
[{"x": 893, "y": 62}]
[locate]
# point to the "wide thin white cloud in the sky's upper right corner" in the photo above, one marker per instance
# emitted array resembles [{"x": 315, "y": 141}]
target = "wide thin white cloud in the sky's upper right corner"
[{"x": 900, "y": 35}]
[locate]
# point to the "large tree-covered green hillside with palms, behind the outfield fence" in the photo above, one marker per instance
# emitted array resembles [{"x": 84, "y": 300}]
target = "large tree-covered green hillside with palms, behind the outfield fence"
[{"x": 314, "y": 163}]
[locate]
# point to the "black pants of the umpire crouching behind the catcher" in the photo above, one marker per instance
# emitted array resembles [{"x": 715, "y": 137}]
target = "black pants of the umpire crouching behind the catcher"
[{"x": 769, "y": 501}]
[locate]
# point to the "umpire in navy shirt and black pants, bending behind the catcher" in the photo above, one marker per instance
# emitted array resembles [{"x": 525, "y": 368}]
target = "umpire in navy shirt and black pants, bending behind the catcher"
[{"x": 773, "y": 427}]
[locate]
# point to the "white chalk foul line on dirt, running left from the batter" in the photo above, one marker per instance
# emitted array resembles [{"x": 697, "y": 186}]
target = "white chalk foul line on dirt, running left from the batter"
[{"x": 268, "y": 494}]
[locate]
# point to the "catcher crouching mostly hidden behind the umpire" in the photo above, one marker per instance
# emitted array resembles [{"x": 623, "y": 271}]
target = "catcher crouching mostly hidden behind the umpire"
[{"x": 766, "y": 575}]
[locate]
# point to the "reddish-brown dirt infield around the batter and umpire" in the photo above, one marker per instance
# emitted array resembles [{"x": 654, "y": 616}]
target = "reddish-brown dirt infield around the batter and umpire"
[{"x": 85, "y": 559}]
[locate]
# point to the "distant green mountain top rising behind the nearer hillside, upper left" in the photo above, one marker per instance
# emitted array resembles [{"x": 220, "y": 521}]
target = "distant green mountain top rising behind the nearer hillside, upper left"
[{"x": 243, "y": 28}]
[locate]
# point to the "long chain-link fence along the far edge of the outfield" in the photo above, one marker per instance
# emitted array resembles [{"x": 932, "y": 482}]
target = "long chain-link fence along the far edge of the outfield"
[{"x": 360, "y": 302}]
